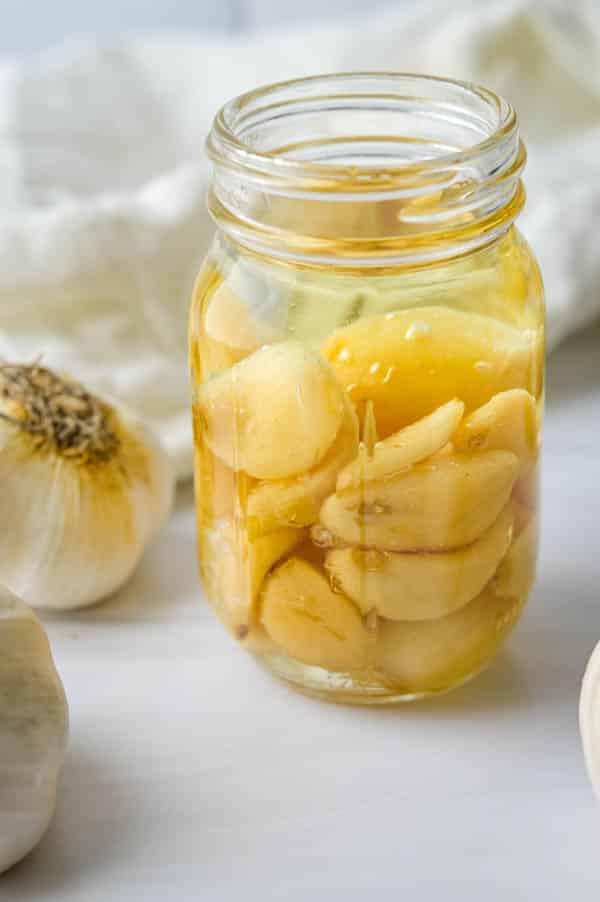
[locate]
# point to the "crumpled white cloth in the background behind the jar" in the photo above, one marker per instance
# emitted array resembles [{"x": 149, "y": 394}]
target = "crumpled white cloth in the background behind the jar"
[{"x": 102, "y": 177}]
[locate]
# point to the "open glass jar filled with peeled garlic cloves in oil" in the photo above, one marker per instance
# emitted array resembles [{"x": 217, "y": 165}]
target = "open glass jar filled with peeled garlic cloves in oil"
[{"x": 366, "y": 344}]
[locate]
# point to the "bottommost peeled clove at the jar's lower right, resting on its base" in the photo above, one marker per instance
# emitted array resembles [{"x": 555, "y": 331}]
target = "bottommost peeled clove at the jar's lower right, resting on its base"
[{"x": 428, "y": 656}]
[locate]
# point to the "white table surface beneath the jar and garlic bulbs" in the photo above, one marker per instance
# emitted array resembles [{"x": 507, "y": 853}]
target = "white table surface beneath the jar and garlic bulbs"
[{"x": 192, "y": 775}]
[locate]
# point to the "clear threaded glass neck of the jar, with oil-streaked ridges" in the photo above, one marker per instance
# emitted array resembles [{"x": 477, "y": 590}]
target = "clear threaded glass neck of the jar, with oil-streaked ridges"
[{"x": 366, "y": 169}]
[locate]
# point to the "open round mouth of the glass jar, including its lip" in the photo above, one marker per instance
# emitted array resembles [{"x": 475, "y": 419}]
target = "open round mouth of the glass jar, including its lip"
[{"x": 236, "y": 137}]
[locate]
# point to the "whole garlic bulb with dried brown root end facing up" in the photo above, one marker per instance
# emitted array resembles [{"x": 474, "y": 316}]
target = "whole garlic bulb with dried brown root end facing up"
[{"x": 83, "y": 487}]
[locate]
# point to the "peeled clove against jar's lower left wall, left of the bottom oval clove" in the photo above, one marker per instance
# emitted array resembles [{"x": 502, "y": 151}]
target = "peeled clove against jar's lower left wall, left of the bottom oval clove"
[{"x": 235, "y": 569}]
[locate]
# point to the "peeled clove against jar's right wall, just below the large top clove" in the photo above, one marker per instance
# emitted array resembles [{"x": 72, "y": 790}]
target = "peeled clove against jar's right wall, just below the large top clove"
[{"x": 508, "y": 422}]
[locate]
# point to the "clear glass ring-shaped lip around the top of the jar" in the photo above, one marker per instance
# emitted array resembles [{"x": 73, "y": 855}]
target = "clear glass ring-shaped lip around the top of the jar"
[{"x": 227, "y": 145}]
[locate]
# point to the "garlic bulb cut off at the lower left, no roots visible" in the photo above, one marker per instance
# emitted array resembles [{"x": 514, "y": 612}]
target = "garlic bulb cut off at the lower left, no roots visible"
[{"x": 33, "y": 730}]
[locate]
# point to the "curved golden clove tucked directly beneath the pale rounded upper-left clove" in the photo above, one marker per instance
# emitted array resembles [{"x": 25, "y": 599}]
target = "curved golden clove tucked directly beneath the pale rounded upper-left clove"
[{"x": 297, "y": 501}]
